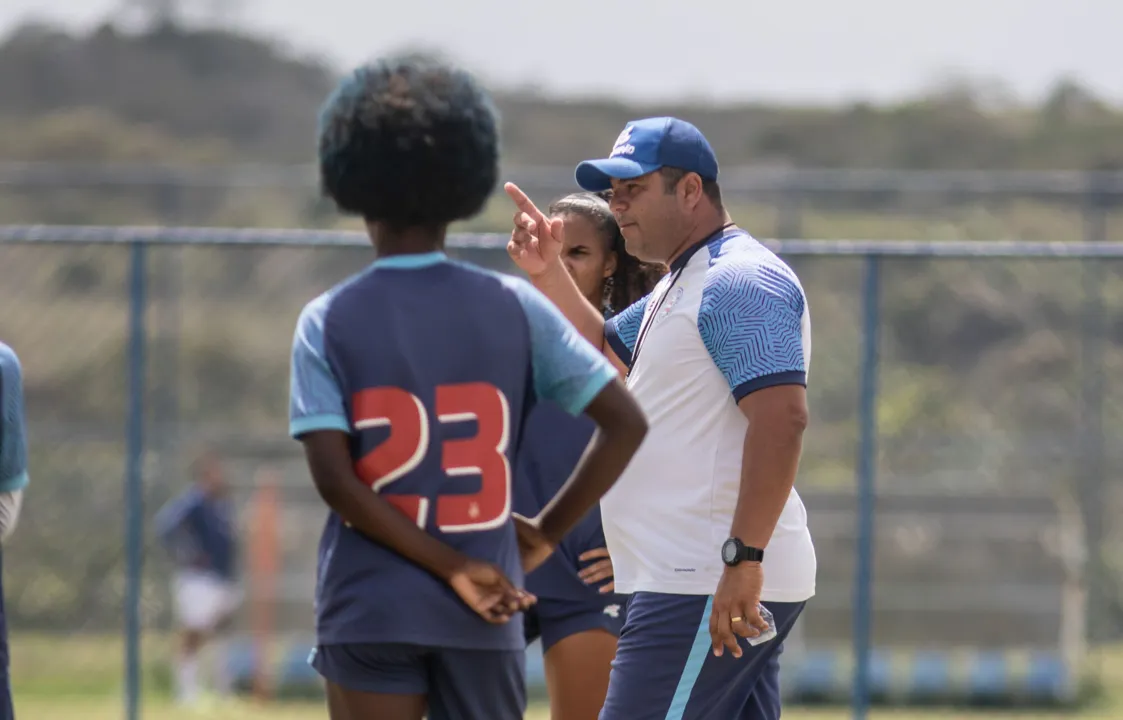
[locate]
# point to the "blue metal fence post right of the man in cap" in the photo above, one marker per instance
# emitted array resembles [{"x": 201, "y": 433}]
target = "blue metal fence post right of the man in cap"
[{"x": 868, "y": 471}]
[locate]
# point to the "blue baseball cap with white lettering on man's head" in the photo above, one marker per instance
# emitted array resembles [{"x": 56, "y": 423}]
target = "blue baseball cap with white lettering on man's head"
[{"x": 646, "y": 147}]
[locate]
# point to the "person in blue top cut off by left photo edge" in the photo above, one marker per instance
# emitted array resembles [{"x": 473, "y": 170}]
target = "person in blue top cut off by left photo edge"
[{"x": 14, "y": 479}]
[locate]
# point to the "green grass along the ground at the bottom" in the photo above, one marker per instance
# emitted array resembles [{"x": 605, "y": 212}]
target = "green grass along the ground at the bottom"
[{"x": 79, "y": 678}]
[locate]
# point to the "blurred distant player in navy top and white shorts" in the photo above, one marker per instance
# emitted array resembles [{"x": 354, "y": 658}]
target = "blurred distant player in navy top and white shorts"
[{"x": 198, "y": 530}]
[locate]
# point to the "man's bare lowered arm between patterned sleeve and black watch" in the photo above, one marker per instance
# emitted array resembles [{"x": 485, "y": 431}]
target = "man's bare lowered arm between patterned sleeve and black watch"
[{"x": 769, "y": 469}]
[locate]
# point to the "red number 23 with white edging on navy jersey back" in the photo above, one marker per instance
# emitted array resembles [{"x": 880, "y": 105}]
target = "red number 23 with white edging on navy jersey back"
[{"x": 483, "y": 454}]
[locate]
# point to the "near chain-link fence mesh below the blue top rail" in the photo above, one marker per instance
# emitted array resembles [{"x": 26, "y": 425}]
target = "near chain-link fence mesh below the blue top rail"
[{"x": 997, "y": 476}]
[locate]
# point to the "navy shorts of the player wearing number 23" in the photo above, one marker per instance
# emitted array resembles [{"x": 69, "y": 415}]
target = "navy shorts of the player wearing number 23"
[{"x": 460, "y": 685}]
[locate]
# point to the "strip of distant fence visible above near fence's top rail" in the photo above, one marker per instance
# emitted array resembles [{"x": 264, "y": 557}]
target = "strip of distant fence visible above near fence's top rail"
[{"x": 1056, "y": 206}]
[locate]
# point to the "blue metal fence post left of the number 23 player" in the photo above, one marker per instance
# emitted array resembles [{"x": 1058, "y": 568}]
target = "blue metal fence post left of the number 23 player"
[{"x": 134, "y": 476}]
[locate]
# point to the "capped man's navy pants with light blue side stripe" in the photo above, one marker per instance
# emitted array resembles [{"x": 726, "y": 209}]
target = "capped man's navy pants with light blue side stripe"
[{"x": 665, "y": 668}]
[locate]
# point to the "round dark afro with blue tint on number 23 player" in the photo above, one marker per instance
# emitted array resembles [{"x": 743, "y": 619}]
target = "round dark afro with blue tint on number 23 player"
[{"x": 409, "y": 141}]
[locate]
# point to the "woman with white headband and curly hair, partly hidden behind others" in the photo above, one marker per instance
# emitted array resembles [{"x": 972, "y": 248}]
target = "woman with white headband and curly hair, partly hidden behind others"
[{"x": 578, "y": 624}]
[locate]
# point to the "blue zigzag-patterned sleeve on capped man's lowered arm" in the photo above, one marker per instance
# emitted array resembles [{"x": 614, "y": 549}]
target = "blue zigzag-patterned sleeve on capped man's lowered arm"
[{"x": 752, "y": 321}]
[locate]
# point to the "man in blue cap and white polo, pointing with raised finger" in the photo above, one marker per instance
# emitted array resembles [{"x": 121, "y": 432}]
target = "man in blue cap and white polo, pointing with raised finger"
[{"x": 706, "y": 530}]
